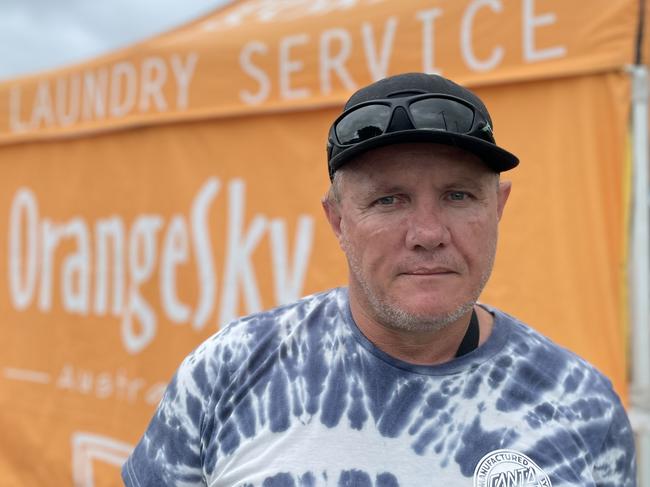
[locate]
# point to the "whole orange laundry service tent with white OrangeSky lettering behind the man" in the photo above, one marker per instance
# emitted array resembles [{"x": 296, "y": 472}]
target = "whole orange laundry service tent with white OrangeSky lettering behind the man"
[{"x": 152, "y": 195}]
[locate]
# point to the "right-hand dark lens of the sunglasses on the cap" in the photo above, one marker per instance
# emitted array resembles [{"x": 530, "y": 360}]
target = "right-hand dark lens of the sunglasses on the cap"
[{"x": 442, "y": 114}]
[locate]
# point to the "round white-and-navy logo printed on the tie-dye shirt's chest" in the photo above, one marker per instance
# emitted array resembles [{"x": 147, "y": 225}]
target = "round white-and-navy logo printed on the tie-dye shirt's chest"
[{"x": 509, "y": 468}]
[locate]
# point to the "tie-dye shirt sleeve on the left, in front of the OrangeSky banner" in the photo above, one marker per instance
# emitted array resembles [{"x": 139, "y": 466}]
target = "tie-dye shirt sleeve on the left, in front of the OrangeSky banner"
[{"x": 169, "y": 453}]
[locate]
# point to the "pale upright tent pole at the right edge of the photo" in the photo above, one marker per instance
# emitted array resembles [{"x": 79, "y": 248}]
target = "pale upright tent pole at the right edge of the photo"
[{"x": 639, "y": 272}]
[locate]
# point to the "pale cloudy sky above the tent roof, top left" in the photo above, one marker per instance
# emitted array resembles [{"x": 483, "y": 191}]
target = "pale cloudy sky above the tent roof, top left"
[{"x": 37, "y": 35}]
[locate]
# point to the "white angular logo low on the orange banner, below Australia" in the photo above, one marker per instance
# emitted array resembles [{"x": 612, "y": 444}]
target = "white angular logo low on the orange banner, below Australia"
[{"x": 89, "y": 447}]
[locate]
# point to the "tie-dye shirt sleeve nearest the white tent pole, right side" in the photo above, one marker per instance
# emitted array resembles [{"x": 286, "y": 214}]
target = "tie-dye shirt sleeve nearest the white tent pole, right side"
[{"x": 616, "y": 462}]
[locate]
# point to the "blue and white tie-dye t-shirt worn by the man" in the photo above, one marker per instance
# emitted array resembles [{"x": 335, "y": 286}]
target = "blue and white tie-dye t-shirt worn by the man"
[{"x": 298, "y": 397}]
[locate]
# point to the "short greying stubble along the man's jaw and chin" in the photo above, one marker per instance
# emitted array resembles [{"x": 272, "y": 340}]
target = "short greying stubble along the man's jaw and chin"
[{"x": 391, "y": 315}]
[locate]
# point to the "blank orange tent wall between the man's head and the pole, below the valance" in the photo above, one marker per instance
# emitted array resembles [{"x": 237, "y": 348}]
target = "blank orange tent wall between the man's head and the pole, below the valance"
[{"x": 561, "y": 260}]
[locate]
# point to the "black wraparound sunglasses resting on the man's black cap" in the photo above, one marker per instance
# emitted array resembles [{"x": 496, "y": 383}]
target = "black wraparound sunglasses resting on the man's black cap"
[{"x": 428, "y": 111}]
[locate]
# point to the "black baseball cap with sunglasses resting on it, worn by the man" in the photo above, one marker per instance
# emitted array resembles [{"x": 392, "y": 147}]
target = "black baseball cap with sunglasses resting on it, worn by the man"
[{"x": 415, "y": 107}]
